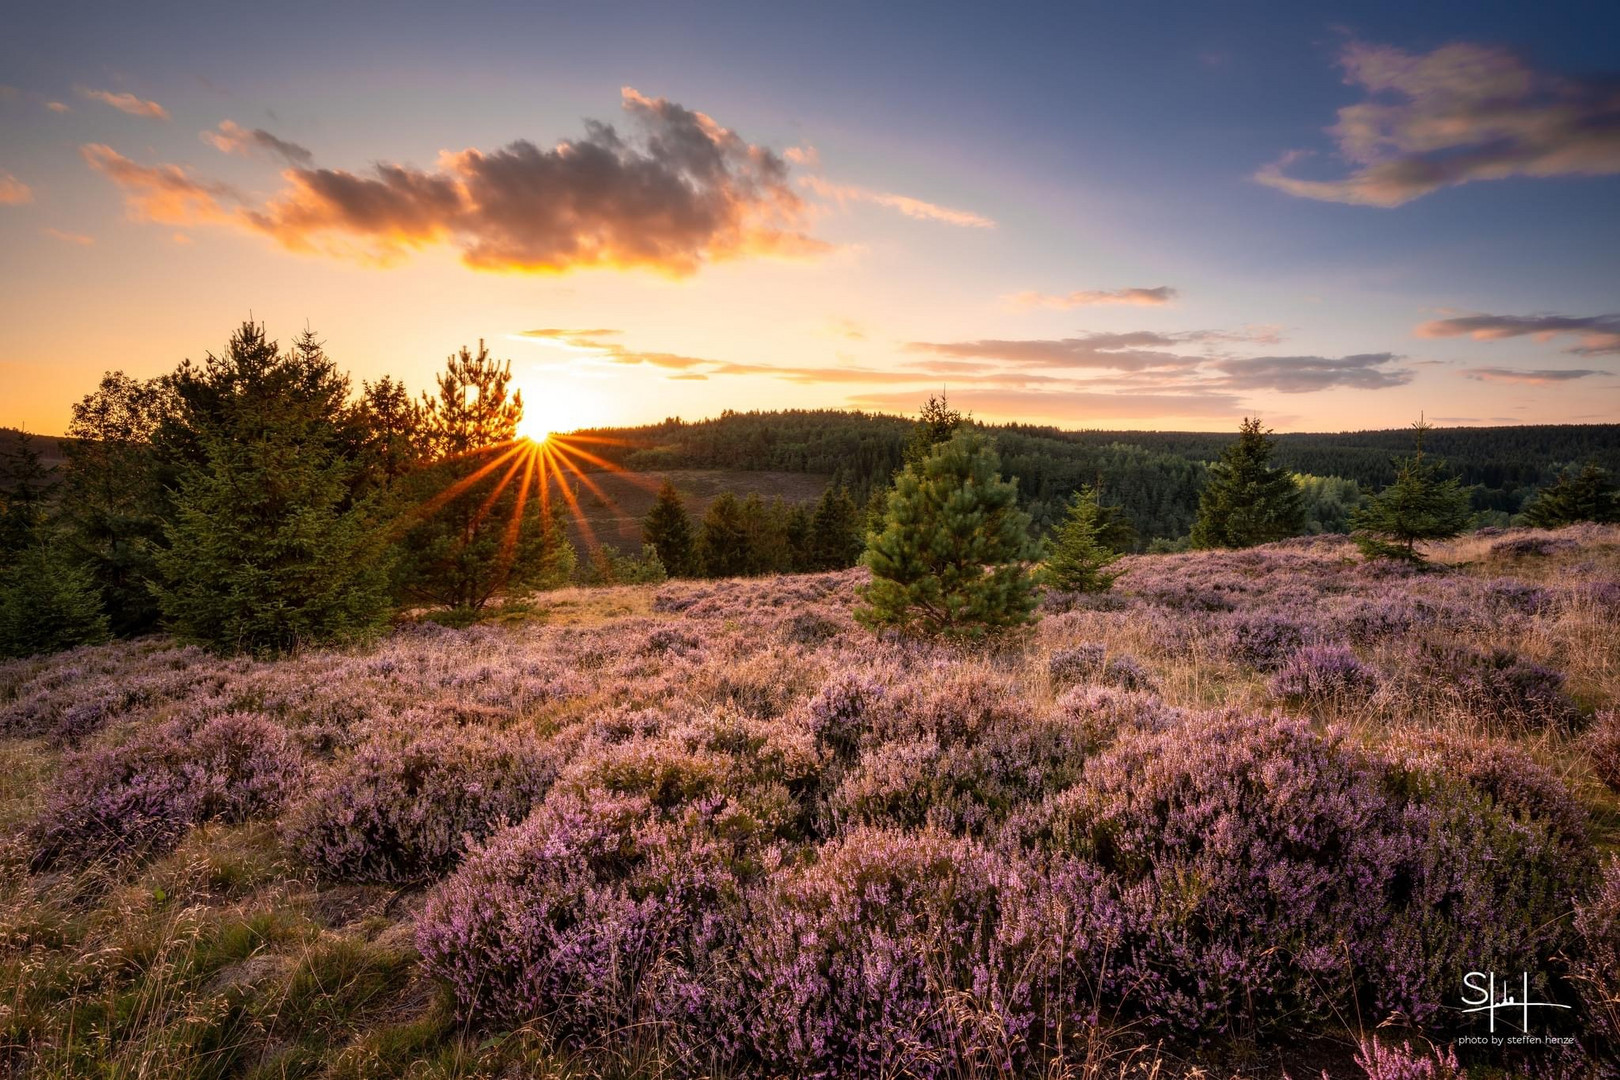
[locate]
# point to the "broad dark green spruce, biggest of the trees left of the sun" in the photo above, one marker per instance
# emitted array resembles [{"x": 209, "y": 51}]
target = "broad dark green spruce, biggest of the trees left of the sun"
[{"x": 268, "y": 550}]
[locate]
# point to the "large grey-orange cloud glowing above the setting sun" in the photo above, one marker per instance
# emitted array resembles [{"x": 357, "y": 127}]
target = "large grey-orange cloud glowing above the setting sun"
[{"x": 686, "y": 193}]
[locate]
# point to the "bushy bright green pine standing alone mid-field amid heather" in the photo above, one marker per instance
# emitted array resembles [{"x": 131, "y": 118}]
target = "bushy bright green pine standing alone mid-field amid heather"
[{"x": 950, "y": 559}]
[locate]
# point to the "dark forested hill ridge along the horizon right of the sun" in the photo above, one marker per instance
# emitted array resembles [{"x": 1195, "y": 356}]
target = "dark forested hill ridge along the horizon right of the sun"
[{"x": 1153, "y": 475}]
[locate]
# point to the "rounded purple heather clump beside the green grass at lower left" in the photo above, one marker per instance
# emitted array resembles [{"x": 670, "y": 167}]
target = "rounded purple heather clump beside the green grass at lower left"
[{"x": 594, "y": 917}]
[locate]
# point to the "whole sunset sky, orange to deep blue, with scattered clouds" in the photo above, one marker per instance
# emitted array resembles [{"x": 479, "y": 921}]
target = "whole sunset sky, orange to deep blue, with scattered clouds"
[{"x": 1332, "y": 216}]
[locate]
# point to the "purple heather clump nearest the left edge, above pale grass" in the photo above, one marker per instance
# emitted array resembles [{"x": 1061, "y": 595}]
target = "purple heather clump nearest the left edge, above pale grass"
[{"x": 140, "y": 797}]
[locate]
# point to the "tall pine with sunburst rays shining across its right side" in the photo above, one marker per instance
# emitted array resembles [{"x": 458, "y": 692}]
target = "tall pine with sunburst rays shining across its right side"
[{"x": 480, "y": 519}]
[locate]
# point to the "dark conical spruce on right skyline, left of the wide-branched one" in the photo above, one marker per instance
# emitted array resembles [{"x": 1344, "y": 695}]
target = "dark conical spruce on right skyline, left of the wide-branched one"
[{"x": 1248, "y": 501}]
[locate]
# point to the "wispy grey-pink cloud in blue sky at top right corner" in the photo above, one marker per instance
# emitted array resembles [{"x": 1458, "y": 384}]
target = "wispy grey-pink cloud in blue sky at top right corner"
[{"x": 1454, "y": 116}]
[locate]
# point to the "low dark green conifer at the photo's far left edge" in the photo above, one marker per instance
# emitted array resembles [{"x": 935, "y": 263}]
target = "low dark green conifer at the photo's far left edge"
[{"x": 48, "y": 603}]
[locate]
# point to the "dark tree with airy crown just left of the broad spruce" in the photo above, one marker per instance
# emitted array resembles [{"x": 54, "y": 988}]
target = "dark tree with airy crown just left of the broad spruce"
[{"x": 111, "y": 506}]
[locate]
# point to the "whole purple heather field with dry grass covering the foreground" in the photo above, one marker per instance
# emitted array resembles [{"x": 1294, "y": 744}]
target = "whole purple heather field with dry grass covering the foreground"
[{"x": 1245, "y": 814}]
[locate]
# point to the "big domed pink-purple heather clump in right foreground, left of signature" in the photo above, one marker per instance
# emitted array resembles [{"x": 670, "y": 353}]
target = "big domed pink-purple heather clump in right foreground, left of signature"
[{"x": 1242, "y": 854}]
